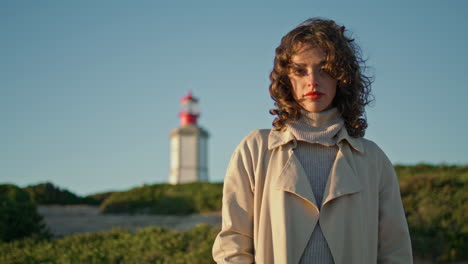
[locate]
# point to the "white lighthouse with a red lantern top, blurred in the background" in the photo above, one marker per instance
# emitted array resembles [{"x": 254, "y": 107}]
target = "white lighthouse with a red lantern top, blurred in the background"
[{"x": 188, "y": 143}]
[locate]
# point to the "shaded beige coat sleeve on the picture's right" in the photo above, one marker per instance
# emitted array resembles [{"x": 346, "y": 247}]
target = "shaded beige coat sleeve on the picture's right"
[{"x": 394, "y": 245}]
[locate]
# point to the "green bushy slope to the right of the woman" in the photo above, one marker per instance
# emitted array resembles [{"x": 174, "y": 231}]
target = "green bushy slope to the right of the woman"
[{"x": 435, "y": 198}]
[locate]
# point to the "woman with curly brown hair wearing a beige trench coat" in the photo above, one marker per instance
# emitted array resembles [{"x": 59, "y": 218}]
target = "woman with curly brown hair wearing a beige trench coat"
[{"x": 312, "y": 189}]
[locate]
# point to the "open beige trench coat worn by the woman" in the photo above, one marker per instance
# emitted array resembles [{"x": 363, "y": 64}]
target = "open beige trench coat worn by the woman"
[{"x": 269, "y": 210}]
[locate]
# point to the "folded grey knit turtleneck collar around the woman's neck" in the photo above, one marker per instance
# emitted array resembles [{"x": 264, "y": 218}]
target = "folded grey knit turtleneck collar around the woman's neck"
[{"x": 320, "y": 128}]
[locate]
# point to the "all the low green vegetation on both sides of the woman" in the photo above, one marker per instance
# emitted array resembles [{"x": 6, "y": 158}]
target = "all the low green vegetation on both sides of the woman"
[{"x": 434, "y": 198}]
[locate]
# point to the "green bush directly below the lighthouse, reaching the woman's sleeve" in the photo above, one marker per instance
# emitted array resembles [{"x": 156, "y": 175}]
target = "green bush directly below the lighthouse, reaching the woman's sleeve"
[{"x": 181, "y": 199}]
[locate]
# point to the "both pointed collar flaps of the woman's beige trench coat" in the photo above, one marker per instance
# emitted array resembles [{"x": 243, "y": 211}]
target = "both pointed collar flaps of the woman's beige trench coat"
[{"x": 278, "y": 138}]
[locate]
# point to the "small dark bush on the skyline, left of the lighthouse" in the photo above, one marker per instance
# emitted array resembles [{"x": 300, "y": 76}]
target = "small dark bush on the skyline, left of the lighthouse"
[{"x": 47, "y": 193}]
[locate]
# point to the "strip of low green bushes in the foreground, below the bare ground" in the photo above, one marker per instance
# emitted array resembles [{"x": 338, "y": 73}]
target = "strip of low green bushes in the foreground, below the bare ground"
[{"x": 150, "y": 245}]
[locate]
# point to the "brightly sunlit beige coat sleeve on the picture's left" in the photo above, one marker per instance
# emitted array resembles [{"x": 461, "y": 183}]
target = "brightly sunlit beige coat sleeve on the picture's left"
[{"x": 234, "y": 243}]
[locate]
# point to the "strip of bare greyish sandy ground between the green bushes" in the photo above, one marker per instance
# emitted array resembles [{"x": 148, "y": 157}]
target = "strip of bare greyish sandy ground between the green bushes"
[{"x": 67, "y": 220}]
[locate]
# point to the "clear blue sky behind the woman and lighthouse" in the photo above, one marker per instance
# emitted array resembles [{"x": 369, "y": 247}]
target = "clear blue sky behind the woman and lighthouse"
[{"x": 89, "y": 90}]
